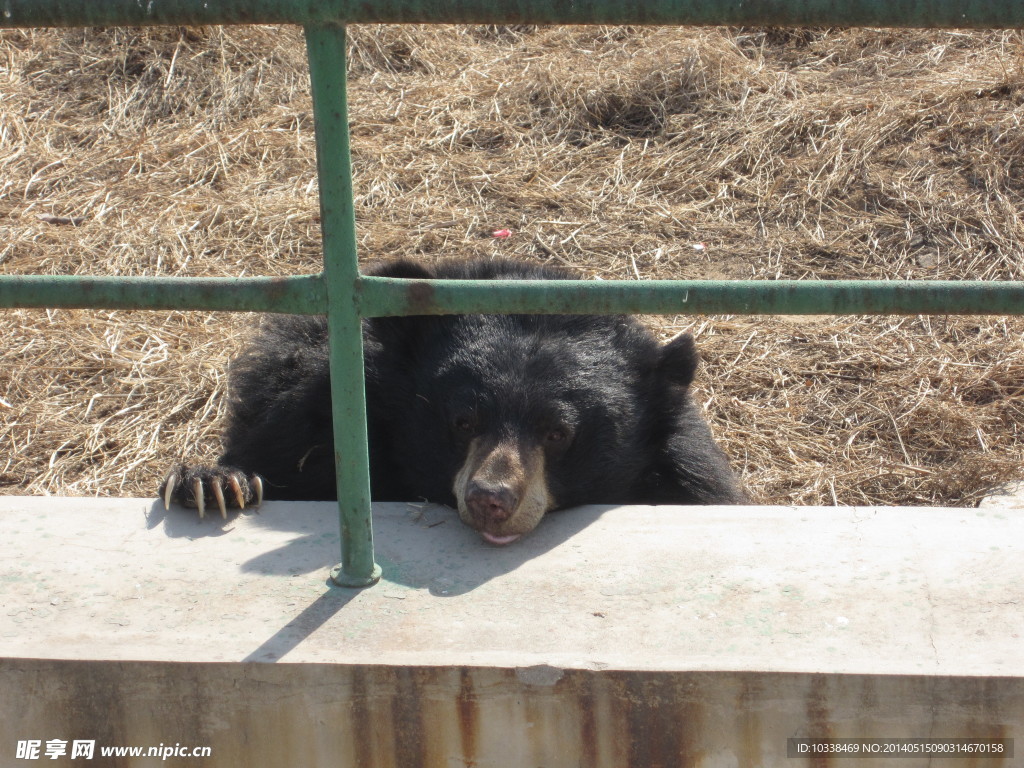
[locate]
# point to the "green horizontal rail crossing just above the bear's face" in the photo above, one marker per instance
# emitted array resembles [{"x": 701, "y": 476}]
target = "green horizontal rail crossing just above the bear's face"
[{"x": 378, "y": 297}]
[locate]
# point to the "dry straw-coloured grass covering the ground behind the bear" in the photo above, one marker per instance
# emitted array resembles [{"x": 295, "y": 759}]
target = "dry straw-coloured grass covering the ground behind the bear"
[{"x": 627, "y": 153}]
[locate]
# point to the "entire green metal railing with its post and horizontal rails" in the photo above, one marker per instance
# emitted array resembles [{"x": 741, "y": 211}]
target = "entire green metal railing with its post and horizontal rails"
[{"x": 347, "y": 296}]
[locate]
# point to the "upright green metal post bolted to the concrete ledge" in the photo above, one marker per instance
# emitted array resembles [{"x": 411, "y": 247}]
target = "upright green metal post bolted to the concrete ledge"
[{"x": 326, "y": 51}]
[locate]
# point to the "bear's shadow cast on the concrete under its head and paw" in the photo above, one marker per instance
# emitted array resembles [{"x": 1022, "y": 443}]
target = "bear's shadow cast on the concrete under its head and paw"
[{"x": 418, "y": 546}]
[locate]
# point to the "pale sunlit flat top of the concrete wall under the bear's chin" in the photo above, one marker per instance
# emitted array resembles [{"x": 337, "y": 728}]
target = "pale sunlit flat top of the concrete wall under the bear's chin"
[{"x": 892, "y": 591}]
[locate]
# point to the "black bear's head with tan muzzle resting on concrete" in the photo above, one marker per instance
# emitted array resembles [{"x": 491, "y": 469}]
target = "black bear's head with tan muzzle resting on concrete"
[{"x": 510, "y": 417}]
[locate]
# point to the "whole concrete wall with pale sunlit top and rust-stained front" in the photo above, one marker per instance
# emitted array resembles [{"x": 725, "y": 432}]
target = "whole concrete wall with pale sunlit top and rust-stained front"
[{"x": 630, "y": 636}]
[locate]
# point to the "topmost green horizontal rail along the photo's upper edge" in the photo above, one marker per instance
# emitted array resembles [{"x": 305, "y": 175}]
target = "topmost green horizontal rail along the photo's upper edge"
[{"x": 925, "y": 14}]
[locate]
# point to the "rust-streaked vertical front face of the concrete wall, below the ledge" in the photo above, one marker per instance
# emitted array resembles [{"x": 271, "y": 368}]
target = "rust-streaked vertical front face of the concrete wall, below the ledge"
[{"x": 395, "y": 717}]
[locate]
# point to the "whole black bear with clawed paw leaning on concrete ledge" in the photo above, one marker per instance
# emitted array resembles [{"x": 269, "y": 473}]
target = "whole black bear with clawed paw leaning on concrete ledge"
[{"x": 504, "y": 417}]
